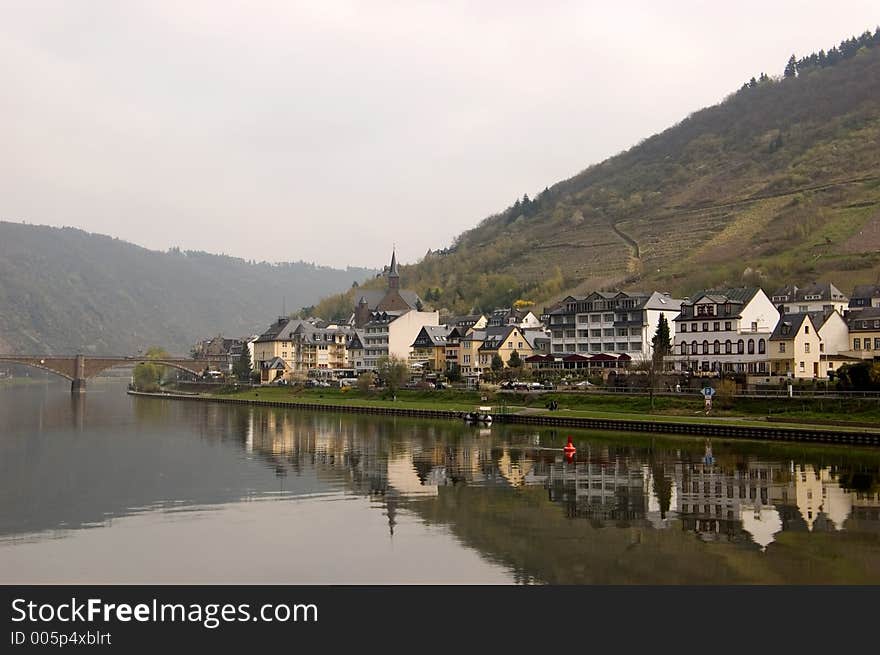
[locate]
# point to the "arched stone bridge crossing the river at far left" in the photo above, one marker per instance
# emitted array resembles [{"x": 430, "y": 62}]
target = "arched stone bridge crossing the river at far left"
[{"x": 79, "y": 368}]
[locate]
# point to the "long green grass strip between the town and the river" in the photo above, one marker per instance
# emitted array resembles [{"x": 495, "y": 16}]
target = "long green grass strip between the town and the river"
[{"x": 844, "y": 414}]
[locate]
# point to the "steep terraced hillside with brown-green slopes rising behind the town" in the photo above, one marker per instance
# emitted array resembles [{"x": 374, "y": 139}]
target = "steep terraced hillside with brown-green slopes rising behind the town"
[{"x": 778, "y": 183}]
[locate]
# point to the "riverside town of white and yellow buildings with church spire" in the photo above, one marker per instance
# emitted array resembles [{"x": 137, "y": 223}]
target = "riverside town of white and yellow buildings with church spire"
[{"x": 804, "y": 332}]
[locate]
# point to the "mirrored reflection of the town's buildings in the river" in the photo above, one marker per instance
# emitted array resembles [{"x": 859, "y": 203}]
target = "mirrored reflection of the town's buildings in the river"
[{"x": 747, "y": 502}]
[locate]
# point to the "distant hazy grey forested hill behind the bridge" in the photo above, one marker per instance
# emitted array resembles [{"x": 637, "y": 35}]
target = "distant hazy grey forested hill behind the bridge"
[{"x": 68, "y": 291}]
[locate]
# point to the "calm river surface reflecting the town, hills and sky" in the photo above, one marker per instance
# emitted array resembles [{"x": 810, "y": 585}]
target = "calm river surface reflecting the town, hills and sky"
[{"x": 109, "y": 488}]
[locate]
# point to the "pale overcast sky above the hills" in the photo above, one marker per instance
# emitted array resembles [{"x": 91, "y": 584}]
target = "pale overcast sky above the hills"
[{"x": 331, "y": 131}]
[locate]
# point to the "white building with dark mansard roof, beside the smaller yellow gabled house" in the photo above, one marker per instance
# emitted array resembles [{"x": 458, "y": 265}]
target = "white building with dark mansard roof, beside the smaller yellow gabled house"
[{"x": 725, "y": 330}]
